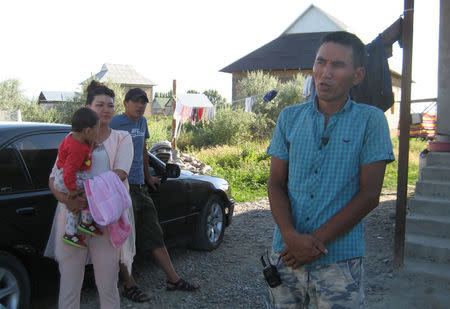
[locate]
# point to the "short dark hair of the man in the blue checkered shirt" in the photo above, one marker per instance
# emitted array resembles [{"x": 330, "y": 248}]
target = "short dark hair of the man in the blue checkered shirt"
[{"x": 350, "y": 40}]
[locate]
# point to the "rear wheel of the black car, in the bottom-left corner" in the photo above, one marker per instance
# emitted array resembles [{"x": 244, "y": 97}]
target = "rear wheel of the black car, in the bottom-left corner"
[{"x": 14, "y": 283}]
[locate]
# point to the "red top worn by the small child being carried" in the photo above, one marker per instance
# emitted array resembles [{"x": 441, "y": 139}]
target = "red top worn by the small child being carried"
[{"x": 73, "y": 156}]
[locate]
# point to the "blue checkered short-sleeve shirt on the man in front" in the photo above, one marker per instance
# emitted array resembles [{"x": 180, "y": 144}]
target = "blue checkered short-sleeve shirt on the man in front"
[{"x": 324, "y": 166}]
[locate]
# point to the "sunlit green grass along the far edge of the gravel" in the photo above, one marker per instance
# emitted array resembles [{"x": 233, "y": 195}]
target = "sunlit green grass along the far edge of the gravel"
[{"x": 246, "y": 167}]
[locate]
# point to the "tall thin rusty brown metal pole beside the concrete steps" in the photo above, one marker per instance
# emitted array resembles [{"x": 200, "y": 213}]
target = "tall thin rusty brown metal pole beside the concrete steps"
[{"x": 405, "y": 120}]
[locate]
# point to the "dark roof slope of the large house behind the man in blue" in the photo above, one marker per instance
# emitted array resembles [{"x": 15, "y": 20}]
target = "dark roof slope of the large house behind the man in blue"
[{"x": 287, "y": 52}]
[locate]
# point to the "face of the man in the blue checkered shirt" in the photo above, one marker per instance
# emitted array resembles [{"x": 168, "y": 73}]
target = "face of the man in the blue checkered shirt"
[{"x": 334, "y": 72}]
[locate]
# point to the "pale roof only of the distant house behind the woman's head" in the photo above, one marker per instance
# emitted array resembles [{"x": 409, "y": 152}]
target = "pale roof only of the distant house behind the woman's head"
[{"x": 123, "y": 74}]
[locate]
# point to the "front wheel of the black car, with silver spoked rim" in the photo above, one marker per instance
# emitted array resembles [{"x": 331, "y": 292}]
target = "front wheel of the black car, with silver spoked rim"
[{"x": 210, "y": 225}]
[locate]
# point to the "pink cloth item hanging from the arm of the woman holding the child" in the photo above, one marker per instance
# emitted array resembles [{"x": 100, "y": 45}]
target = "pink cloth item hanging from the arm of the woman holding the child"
[{"x": 108, "y": 201}]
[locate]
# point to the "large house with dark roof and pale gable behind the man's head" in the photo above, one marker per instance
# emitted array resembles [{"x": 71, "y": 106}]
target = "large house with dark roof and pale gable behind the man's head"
[{"x": 293, "y": 51}]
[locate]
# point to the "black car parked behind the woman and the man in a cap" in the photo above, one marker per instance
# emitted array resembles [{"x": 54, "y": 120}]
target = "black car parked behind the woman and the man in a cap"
[{"x": 193, "y": 208}]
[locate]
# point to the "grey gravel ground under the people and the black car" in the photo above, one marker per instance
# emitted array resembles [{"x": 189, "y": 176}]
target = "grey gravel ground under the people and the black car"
[{"x": 231, "y": 276}]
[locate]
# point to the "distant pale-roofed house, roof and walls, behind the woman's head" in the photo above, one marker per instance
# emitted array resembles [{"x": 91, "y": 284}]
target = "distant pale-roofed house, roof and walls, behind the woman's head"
[{"x": 126, "y": 76}]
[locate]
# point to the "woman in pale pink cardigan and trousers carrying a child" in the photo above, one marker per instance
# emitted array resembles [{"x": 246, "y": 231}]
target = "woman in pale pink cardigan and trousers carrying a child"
[{"x": 113, "y": 152}]
